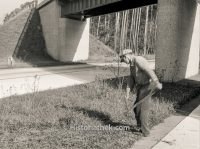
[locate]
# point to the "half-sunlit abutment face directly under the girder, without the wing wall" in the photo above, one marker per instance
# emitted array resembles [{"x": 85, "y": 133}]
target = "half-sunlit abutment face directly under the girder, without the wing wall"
[{"x": 73, "y": 39}]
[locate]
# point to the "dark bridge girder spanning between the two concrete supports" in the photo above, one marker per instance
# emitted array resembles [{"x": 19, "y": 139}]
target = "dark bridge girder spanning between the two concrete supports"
[{"x": 87, "y": 8}]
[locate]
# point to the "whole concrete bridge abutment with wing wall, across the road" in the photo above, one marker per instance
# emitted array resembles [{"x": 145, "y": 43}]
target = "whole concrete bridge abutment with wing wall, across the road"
[{"x": 66, "y": 40}]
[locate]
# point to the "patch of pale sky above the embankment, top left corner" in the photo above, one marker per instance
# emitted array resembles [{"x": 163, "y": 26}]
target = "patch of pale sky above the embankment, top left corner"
[{"x": 6, "y": 6}]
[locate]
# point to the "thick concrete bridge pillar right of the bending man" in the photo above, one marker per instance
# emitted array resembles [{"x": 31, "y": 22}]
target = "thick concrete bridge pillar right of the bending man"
[{"x": 177, "y": 54}]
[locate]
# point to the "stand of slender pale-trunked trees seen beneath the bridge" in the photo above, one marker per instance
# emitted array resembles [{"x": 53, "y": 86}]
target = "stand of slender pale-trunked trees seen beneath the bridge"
[{"x": 134, "y": 29}]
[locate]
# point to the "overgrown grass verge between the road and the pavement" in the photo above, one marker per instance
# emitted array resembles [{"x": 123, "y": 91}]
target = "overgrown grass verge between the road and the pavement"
[{"x": 83, "y": 116}]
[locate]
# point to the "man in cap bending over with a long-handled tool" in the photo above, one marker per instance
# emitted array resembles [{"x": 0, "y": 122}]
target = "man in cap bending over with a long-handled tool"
[{"x": 145, "y": 82}]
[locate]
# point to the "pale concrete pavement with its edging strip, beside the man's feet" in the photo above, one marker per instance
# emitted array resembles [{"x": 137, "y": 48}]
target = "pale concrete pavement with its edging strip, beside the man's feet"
[{"x": 180, "y": 131}]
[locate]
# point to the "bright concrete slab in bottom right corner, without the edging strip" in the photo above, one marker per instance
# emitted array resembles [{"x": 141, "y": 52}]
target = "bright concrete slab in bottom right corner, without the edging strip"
[{"x": 186, "y": 135}]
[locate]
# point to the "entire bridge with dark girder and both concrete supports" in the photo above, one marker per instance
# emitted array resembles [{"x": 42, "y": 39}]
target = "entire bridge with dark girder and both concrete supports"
[{"x": 66, "y": 31}]
